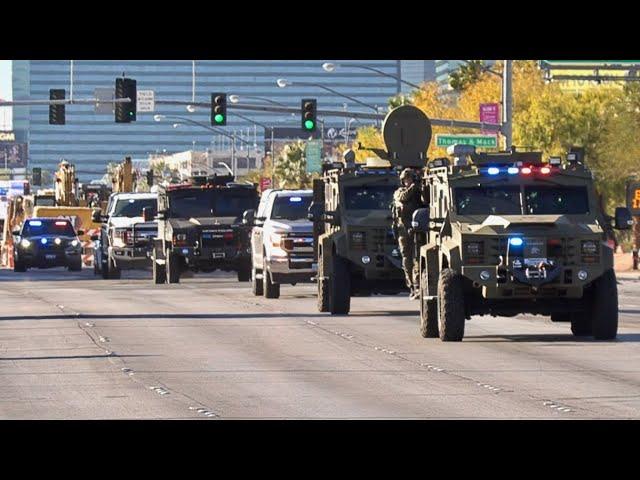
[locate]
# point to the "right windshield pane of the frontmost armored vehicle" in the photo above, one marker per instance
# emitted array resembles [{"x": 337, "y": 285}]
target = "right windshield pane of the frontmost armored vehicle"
[{"x": 556, "y": 200}]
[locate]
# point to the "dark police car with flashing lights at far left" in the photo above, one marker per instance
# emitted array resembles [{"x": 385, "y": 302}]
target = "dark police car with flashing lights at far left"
[{"x": 46, "y": 243}]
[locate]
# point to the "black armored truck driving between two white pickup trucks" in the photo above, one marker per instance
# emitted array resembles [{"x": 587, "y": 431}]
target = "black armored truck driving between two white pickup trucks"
[{"x": 200, "y": 228}]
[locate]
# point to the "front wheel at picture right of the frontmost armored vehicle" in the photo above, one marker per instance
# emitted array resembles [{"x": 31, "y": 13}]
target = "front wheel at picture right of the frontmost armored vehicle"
[{"x": 604, "y": 311}]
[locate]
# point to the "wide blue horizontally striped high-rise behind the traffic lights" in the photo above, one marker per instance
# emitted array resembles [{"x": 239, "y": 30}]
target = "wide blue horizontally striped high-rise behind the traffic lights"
[{"x": 91, "y": 140}]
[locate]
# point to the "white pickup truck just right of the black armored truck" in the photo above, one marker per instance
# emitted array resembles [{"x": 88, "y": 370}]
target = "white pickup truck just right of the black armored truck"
[{"x": 281, "y": 241}]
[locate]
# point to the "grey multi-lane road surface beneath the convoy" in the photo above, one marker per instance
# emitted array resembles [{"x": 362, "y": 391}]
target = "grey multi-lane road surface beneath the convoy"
[{"x": 76, "y": 347}]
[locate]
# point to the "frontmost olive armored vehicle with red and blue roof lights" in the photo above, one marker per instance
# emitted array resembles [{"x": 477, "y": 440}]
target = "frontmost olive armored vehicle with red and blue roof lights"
[{"x": 508, "y": 233}]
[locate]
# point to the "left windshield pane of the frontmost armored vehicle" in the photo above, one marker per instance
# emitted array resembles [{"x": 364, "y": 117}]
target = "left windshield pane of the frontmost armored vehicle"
[{"x": 488, "y": 201}]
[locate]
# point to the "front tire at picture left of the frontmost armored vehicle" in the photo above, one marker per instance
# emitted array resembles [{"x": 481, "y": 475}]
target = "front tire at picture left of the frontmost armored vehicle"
[{"x": 451, "y": 314}]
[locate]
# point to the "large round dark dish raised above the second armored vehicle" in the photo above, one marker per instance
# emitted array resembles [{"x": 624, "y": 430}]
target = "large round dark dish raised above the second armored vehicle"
[{"x": 407, "y": 134}]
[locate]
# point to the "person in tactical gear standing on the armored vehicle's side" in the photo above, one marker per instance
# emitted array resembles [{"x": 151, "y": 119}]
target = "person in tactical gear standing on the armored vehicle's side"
[{"x": 406, "y": 200}]
